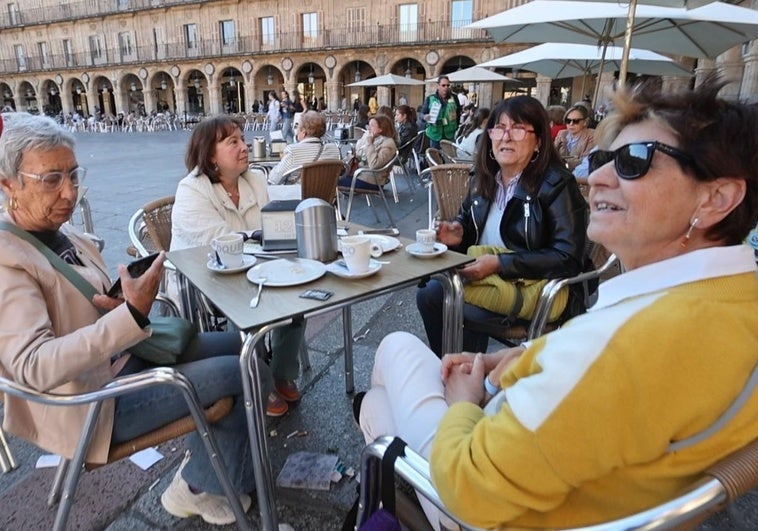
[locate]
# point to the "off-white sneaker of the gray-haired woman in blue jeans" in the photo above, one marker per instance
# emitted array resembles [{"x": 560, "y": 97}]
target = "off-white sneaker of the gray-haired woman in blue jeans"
[{"x": 181, "y": 502}]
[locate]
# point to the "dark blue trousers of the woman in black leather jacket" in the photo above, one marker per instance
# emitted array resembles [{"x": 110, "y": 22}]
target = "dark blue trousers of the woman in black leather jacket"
[{"x": 429, "y": 300}]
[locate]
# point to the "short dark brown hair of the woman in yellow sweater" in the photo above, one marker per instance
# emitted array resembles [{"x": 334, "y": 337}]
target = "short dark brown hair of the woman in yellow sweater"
[{"x": 719, "y": 135}]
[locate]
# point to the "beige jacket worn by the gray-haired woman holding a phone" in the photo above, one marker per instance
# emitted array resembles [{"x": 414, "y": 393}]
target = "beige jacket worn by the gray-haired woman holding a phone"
[{"x": 53, "y": 339}]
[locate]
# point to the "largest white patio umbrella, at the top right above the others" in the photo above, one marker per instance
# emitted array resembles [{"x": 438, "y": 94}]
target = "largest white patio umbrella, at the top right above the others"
[{"x": 703, "y": 32}]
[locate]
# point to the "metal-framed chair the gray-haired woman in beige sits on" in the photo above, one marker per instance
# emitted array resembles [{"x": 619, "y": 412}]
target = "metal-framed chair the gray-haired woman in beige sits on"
[{"x": 67, "y": 475}]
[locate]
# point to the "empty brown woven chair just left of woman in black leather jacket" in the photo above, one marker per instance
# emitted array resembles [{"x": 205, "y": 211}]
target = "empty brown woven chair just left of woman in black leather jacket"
[{"x": 450, "y": 184}]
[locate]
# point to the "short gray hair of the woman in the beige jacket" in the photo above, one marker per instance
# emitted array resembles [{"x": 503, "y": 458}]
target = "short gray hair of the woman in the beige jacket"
[{"x": 23, "y": 132}]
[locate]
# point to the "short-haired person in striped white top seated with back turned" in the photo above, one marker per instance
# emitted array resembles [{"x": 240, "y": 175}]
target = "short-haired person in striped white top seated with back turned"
[{"x": 309, "y": 148}]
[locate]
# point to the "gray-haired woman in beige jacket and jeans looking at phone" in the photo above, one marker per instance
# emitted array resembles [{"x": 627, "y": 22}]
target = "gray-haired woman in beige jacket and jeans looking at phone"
[{"x": 54, "y": 339}]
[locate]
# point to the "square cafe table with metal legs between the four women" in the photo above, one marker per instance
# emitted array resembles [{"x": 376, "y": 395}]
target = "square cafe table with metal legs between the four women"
[{"x": 279, "y": 306}]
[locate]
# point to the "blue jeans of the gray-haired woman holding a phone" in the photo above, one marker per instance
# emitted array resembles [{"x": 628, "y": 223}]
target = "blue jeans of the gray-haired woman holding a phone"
[{"x": 211, "y": 363}]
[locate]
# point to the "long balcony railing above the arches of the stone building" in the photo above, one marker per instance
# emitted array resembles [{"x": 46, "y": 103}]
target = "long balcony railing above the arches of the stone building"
[{"x": 372, "y": 35}]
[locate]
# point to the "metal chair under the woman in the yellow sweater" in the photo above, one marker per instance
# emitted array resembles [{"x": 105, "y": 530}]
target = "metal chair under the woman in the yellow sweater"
[{"x": 720, "y": 485}]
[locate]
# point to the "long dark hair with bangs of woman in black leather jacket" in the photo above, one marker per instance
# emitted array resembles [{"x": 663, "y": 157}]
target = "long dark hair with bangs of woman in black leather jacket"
[{"x": 522, "y": 110}]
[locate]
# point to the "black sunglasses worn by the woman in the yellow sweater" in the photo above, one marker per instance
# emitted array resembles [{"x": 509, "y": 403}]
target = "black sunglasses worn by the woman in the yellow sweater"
[{"x": 632, "y": 161}]
